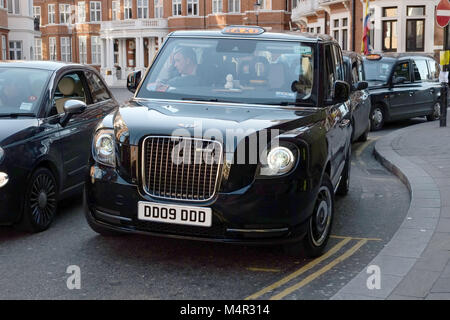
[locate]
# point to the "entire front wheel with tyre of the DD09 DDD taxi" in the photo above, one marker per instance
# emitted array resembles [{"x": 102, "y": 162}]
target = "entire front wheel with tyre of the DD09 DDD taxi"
[{"x": 319, "y": 228}]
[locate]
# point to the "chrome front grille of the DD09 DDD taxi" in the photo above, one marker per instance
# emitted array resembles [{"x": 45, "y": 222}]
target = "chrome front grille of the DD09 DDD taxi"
[{"x": 181, "y": 168}]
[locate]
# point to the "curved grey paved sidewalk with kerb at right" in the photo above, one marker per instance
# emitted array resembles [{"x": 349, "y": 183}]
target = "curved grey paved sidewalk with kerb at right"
[{"x": 415, "y": 264}]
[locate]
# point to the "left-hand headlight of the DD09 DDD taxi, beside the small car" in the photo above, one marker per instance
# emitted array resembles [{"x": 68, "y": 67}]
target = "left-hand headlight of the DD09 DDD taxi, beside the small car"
[{"x": 103, "y": 148}]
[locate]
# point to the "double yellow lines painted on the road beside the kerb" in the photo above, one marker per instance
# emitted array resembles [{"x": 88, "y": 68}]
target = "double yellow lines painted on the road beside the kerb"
[{"x": 309, "y": 266}]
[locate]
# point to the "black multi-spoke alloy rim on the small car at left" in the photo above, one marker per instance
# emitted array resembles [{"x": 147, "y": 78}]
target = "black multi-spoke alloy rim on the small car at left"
[{"x": 43, "y": 199}]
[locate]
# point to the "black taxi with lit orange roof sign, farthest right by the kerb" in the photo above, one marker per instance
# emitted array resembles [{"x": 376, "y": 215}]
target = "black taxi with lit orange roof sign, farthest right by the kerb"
[{"x": 402, "y": 86}]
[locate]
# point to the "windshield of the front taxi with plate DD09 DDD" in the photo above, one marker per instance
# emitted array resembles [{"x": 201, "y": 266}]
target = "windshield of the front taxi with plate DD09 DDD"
[{"x": 232, "y": 70}]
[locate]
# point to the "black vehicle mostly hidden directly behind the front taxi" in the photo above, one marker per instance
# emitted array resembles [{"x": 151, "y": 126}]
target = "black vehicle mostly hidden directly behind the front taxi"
[{"x": 359, "y": 95}]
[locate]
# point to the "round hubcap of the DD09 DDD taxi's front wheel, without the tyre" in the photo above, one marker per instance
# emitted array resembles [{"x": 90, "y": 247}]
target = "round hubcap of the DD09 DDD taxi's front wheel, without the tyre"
[{"x": 321, "y": 220}]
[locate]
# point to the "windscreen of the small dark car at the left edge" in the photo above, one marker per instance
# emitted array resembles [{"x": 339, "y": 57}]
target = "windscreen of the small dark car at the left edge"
[{"x": 21, "y": 89}]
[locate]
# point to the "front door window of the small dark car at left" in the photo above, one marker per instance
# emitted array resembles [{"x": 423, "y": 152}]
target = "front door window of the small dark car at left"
[{"x": 69, "y": 87}]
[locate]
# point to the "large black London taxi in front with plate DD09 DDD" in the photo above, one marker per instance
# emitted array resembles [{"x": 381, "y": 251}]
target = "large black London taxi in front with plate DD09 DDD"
[{"x": 236, "y": 135}]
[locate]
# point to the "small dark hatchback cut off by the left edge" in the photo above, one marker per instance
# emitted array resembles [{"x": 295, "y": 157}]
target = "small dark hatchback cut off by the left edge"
[{"x": 48, "y": 112}]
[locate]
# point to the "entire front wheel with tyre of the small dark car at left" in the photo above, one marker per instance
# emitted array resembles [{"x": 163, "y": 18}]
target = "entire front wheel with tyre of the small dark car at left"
[{"x": 40, "y": 202}]
